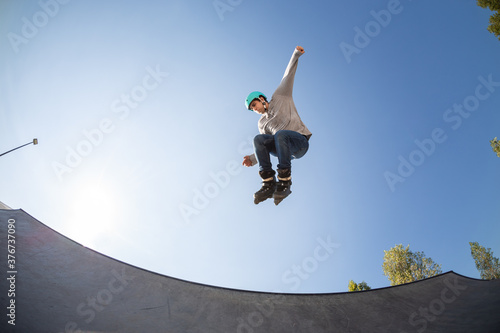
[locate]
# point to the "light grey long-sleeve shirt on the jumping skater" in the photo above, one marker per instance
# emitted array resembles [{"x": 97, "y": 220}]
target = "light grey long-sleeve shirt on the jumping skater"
[{"x": 282, "y": 113}]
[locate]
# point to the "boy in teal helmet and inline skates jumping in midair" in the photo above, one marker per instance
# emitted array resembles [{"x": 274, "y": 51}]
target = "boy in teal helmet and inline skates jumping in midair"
[{"x": 282, "y": 134}]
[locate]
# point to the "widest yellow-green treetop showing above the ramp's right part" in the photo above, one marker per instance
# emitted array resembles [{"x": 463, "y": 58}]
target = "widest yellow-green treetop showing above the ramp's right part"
[{"x": 402, "y": 265}]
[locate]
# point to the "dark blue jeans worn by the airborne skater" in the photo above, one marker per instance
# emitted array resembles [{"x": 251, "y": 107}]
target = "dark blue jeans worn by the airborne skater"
[{"x": 286, "y": 145}]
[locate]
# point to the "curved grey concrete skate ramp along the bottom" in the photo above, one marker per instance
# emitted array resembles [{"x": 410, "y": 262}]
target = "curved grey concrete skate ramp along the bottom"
[{"x": 61, "y": 286}]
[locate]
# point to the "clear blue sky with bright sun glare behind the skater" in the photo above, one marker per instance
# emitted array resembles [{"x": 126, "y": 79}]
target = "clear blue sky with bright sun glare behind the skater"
[{"x": 138, "y": 108}]
